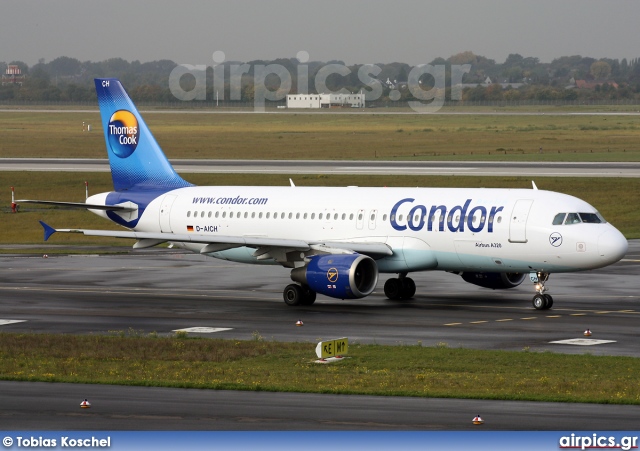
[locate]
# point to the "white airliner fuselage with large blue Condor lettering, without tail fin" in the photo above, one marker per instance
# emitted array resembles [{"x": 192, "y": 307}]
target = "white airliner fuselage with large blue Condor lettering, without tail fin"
[{"x": 492, "y": 230}]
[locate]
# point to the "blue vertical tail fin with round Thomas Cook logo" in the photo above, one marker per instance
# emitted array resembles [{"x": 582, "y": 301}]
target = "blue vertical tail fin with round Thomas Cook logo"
[{"x": 137, "y": 161}]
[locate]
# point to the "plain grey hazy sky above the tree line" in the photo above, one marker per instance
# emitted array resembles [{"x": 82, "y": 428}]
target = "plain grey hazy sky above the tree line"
[{"x": 411, "y": 31}]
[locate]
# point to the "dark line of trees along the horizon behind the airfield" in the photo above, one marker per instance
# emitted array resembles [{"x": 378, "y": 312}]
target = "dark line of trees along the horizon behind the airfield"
[{"x": 67, "y": 79}]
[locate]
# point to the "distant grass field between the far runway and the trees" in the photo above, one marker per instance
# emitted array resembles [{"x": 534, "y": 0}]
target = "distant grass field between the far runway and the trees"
[{"x": 338, "y": 136}]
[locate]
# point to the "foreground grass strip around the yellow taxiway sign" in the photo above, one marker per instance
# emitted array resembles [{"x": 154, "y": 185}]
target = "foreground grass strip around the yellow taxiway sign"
[{"x": 404, "y": 370}]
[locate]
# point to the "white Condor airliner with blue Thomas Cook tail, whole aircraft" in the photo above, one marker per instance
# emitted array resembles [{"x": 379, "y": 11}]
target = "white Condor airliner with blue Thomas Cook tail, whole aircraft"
[{"x": 337, "y": 240}]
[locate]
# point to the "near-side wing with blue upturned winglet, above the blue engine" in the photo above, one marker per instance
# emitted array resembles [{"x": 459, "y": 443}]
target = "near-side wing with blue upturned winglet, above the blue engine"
[{"x": 221, "y": 242}]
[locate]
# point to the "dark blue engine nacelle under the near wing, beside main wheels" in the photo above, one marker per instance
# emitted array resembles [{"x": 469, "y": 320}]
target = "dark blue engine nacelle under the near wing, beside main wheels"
[{"x": 349, "y": 276}]
